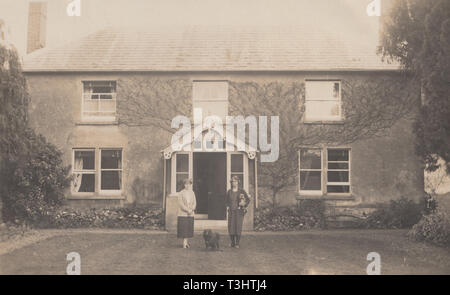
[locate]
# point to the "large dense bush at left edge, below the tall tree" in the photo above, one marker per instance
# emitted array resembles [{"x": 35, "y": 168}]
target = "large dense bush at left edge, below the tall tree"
[{"x": 33, "y": 186}]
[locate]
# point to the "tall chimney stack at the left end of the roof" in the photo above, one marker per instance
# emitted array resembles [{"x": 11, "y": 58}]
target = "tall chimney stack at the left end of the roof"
[{"x": 37, "y": 24}]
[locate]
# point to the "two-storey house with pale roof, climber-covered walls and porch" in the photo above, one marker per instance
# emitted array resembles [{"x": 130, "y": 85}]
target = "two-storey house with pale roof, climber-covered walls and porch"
[{"x": 95, "y": 99}]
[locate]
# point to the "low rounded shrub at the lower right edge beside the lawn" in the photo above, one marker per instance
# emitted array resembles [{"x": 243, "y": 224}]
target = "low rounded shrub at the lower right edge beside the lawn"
[{"x": 433, "y": 228}]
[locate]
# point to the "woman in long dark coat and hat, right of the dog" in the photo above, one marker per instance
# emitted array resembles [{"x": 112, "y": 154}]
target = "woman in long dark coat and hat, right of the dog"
[{"x": 237, "y": 202}]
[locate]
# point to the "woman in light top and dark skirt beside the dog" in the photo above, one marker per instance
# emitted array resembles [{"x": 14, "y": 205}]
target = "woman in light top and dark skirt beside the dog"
[{"x": 186, "y": 204}]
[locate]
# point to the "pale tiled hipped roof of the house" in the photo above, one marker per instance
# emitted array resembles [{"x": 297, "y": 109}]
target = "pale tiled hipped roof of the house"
[{"x": 202, "y": 48}]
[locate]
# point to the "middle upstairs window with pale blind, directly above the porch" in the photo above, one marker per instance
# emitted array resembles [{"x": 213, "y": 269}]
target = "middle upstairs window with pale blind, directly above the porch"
[{"x": 211, "y": 97}]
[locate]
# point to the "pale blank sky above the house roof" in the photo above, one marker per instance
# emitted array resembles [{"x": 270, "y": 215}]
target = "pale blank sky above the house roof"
[{"x": 348, "y": 18}]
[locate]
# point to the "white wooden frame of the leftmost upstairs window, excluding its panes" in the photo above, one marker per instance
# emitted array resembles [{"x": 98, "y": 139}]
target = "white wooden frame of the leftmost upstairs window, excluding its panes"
[{"x": 86, "y": 96}]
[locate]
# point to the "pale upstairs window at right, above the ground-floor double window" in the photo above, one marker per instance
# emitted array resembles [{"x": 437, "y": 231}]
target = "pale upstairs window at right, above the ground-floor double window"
[{"x": 323, "y": 101}]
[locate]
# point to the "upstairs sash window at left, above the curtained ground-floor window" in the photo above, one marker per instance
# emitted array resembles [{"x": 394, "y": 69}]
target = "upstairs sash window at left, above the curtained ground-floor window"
[{"x": 99, "y": 100}]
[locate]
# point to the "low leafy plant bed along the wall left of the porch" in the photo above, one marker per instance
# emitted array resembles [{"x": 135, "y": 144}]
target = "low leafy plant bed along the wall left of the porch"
[{"x": 133, "y": 217}]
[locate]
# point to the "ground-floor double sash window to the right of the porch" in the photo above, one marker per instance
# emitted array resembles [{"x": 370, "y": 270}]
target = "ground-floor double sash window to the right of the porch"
[{"x": 330, "y": 167}]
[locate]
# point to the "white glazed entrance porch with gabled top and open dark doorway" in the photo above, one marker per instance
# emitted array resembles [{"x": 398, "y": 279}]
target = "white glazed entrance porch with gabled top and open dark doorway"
[{"x": 211, "y": 171}]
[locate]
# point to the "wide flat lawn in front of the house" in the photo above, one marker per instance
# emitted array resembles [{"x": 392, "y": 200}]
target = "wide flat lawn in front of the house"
[{"x": 141, "y": 252}]
